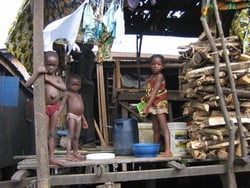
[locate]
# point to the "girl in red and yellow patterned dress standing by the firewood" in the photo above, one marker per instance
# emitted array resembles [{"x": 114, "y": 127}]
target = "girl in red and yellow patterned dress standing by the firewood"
[{"x": 156, "y": 98}]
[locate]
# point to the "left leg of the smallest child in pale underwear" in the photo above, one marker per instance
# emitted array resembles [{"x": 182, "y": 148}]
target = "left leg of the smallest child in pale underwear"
[{"x": 71, "y": 127}]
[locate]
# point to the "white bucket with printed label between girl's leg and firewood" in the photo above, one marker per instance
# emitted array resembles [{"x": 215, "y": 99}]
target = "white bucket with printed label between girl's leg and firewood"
[{"x": 178, "y": 137}]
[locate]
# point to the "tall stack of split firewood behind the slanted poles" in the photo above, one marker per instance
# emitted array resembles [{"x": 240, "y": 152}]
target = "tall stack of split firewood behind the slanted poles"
[{"x": 208, "y": 133}]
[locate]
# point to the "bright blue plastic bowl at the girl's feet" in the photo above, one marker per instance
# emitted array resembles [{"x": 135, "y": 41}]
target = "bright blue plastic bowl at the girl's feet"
[{"x": 145, "y": 149}]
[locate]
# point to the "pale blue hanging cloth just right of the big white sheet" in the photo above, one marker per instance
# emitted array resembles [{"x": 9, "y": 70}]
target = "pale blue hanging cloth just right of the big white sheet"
[{"x": 88, "y": 24}]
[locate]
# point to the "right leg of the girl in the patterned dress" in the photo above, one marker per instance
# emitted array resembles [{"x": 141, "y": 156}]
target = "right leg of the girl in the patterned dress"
[{"x": 163, "y": 124}]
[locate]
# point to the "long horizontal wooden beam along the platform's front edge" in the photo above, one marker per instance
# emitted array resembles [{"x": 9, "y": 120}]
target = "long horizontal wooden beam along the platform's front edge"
[{"x": 144, "y": 174}]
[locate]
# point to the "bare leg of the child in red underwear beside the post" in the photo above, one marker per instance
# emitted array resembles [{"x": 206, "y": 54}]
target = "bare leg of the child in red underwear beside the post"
[{"x": 53, "y": 119}]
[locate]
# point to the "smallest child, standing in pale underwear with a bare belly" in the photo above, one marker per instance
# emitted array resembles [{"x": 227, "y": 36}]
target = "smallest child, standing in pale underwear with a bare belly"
[{"x": 75, "y": 117}]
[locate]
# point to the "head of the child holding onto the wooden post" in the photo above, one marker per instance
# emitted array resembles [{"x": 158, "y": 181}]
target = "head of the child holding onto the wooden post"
[{"x": 51, "y": 60}]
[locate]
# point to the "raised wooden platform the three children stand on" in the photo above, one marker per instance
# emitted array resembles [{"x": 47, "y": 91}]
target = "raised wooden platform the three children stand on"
[{"x": 121, "y": 169}]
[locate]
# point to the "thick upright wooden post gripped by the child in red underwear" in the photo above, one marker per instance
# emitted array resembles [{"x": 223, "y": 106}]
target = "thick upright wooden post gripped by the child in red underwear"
[{"x": 39, "y": 99}]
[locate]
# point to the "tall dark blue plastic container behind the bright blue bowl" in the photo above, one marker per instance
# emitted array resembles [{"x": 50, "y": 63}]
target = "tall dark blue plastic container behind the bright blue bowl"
[{"x": 125, "y": 133}]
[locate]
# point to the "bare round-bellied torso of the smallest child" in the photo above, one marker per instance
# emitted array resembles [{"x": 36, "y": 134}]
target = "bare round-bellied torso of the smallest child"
[{"x": 75, "y": 104}]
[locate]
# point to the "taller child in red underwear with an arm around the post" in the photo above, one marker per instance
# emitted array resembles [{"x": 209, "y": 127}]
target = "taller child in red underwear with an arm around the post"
[{"x": 54, "y": 86}]
